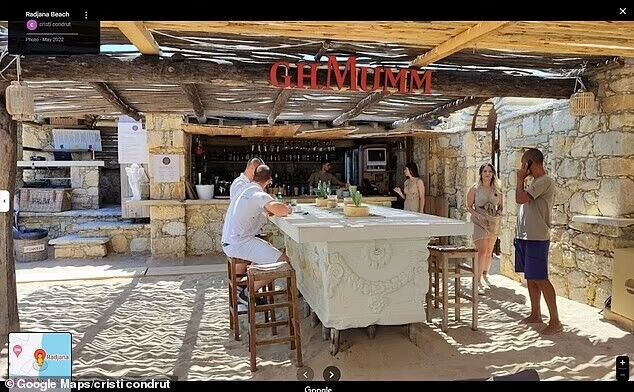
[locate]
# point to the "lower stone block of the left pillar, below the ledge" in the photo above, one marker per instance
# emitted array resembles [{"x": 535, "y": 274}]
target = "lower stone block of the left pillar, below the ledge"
[{"x": 167, "y": 230}]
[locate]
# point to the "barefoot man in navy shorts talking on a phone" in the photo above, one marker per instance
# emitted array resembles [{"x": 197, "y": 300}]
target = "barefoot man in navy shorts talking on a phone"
[{"x": 533, "y": 237}]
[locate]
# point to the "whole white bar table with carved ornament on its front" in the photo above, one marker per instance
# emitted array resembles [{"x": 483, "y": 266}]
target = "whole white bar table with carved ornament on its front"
[{"x": 361, "y": 272}]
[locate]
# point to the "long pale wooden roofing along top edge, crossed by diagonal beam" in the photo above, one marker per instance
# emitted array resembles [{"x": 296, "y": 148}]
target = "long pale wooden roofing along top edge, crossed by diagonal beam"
[{"x": 599, "y": 38}]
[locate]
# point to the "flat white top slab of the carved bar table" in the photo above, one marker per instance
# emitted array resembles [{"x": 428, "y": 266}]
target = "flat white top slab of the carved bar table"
[{"x": 330, "y": 225}]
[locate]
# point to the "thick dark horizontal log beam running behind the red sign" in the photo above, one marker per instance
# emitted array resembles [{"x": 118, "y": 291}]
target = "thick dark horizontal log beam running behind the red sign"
[{"x": 156, "y": 70}]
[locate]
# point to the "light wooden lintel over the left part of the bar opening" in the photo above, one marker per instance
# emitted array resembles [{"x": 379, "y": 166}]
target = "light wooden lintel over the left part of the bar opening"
[{"x": 263, "y": 131}]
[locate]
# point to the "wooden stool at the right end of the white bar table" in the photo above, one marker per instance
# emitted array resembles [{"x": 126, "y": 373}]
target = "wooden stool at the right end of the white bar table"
[{"x": 445, "y": 261}]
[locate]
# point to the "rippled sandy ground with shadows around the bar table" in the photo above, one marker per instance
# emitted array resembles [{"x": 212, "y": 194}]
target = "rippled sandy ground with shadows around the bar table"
[{"x": 178, "y": 326}]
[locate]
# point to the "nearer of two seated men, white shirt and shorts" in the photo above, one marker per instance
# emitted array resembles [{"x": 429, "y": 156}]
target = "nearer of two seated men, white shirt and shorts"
[{"x": 243, "y": 224}]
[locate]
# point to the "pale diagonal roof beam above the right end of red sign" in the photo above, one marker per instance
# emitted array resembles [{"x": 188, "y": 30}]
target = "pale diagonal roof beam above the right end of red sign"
[{"x": 456, "y": 43}]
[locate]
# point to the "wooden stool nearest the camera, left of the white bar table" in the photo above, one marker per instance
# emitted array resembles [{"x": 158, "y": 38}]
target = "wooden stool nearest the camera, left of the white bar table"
[{"x": 284, "y": 271}]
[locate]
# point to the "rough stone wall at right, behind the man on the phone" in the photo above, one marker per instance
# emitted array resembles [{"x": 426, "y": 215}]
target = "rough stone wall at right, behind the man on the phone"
[{"x": 591, "y": 159}]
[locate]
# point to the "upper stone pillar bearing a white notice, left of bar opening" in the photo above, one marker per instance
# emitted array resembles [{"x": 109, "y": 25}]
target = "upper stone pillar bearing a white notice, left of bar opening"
[{"x": 166, "y": 136}]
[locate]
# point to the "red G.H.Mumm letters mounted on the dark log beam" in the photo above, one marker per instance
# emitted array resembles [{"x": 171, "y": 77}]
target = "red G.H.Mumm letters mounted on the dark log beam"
[{"x": 331, "y": 77}]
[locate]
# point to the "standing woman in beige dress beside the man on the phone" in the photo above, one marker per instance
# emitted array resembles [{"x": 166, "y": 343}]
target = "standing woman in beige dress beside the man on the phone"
[{"x": 484, "y": 202}]
